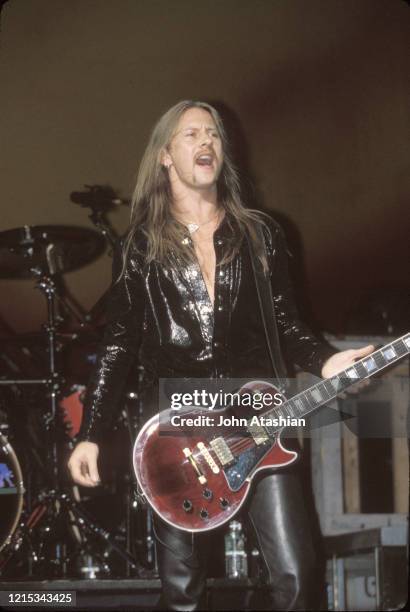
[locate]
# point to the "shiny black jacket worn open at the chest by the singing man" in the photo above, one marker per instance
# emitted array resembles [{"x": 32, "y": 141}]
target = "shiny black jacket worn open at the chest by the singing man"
[{"x": 162, "y": 316}]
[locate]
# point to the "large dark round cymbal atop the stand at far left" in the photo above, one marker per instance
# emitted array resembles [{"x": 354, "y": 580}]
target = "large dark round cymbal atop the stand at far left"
[{"x": 34, "y": 250}]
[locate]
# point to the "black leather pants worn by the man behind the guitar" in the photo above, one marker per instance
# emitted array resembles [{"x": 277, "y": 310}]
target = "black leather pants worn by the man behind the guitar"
[{"x": 277, "y": 516}]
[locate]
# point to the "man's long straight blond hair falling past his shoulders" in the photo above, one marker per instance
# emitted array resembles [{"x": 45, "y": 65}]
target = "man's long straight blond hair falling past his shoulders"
[{"x": 150, "y": 212}]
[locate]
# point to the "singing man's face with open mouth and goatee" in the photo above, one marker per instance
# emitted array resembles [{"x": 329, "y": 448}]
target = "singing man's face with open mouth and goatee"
[{"x": 195, "y": 155}]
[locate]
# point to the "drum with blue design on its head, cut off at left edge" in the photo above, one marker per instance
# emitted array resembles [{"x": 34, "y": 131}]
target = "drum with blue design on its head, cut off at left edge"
[{"x": 11, "y": 492}]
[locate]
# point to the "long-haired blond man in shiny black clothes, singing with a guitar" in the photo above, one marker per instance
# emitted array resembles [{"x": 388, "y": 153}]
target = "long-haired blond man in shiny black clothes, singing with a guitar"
[{"x": 183, "y": 304}]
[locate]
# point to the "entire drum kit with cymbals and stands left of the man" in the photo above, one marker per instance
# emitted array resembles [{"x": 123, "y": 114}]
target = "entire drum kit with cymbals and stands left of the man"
[{"x": 48, "y": 526}]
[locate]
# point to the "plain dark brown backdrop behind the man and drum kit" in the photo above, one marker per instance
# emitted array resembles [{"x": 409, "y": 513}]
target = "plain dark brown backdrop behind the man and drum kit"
[{"x": 321, "y": 89}]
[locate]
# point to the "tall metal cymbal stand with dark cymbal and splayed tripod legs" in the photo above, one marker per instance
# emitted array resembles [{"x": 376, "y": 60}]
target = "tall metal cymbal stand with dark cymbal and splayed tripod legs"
[{"x": 44, "y": 253}]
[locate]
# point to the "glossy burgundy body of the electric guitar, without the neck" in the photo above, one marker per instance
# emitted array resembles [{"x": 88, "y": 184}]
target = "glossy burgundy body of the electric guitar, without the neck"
[{"x": 188, "y": 475}]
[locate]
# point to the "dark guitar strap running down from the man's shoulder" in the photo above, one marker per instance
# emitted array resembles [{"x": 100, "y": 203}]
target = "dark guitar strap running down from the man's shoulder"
[{"x": 266, "y": 305}]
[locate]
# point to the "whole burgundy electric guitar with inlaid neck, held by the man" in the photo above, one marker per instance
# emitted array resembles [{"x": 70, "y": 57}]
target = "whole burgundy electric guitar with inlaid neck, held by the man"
[{"x": 197, "y": 477}]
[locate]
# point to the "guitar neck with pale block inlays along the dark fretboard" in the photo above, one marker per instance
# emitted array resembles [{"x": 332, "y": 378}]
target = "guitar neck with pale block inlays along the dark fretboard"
[{"x": 324, "y": 391}]
